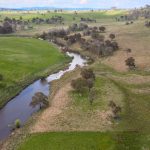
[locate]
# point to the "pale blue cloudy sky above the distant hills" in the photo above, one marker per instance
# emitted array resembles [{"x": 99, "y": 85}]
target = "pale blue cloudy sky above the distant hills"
[{"x": 103, "y": 4}]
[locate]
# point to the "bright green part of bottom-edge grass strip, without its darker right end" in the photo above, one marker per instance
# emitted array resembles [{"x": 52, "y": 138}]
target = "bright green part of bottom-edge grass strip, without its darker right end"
[{"x": 69, "y": 141}]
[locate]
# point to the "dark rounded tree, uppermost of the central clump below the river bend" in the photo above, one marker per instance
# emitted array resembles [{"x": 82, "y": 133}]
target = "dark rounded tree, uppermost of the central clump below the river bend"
[{"x": 87, "y": 74}]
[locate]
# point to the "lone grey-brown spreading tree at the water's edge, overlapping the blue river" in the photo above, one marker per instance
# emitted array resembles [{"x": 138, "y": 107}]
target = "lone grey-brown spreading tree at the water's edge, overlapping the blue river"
[{"x": 39, "y": 99}]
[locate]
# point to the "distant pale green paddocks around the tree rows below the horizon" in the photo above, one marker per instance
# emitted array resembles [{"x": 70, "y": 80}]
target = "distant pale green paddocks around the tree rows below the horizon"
[{"x": 102, "y": 17}]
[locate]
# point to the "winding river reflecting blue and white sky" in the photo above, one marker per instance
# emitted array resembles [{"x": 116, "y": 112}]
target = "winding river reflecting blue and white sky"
[{"x": 19, "y": 107}]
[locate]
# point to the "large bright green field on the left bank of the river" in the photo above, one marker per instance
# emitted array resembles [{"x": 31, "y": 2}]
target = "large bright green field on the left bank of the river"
[{"x": 23, "y": 60}]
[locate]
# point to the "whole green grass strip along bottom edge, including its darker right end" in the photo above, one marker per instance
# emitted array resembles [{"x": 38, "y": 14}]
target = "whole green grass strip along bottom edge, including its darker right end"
[{"x": 85, "y": 141}]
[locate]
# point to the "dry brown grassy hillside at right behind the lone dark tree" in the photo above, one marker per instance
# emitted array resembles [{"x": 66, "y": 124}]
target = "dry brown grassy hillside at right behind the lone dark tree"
[{"x": 134, "y": 36}]
